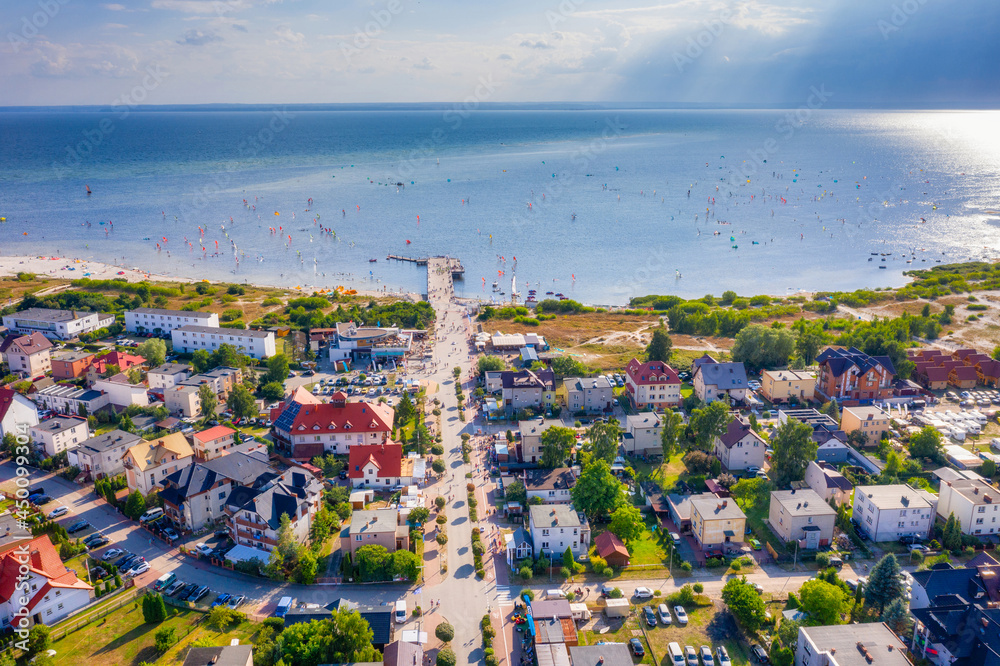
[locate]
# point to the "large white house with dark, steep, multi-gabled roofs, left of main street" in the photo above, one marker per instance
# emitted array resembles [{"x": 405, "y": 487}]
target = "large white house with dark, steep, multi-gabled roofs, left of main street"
[{"x": 253, "y": 515}]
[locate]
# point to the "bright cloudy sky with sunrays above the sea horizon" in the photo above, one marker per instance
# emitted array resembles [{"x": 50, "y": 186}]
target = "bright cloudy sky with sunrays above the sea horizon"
[{"x": 858, "y": 53}]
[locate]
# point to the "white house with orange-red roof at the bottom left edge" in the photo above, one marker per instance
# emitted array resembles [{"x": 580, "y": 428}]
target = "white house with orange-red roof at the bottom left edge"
[{"x": 31, "y": 571}]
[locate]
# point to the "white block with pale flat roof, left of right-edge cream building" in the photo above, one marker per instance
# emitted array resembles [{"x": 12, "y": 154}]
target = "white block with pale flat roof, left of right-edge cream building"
[{"x": 886, "y": 513}]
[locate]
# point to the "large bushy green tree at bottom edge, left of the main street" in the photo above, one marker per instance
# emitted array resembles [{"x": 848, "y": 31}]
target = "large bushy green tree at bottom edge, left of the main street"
[{"x": 345, "y": 637}]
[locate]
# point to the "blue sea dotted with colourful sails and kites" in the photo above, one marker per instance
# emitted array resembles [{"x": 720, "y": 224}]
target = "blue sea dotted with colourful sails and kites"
[{"x": 598, "y": 204}]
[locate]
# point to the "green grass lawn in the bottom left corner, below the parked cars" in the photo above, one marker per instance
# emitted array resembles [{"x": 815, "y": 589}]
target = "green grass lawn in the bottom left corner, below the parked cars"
[{"x": 122, "y": 638}]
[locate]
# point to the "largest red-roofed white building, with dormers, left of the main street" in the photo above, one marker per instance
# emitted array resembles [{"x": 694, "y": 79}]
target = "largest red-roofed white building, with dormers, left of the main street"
[{"x": 337, "y": 426}]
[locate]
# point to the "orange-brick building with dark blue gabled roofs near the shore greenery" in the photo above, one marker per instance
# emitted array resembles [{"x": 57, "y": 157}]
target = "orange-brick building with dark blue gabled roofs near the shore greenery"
[{"x": 851, "y": 374}]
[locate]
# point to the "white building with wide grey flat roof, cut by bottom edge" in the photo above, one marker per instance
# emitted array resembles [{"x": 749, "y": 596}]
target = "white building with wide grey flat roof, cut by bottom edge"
[{"x": 872, "y": 644}]
